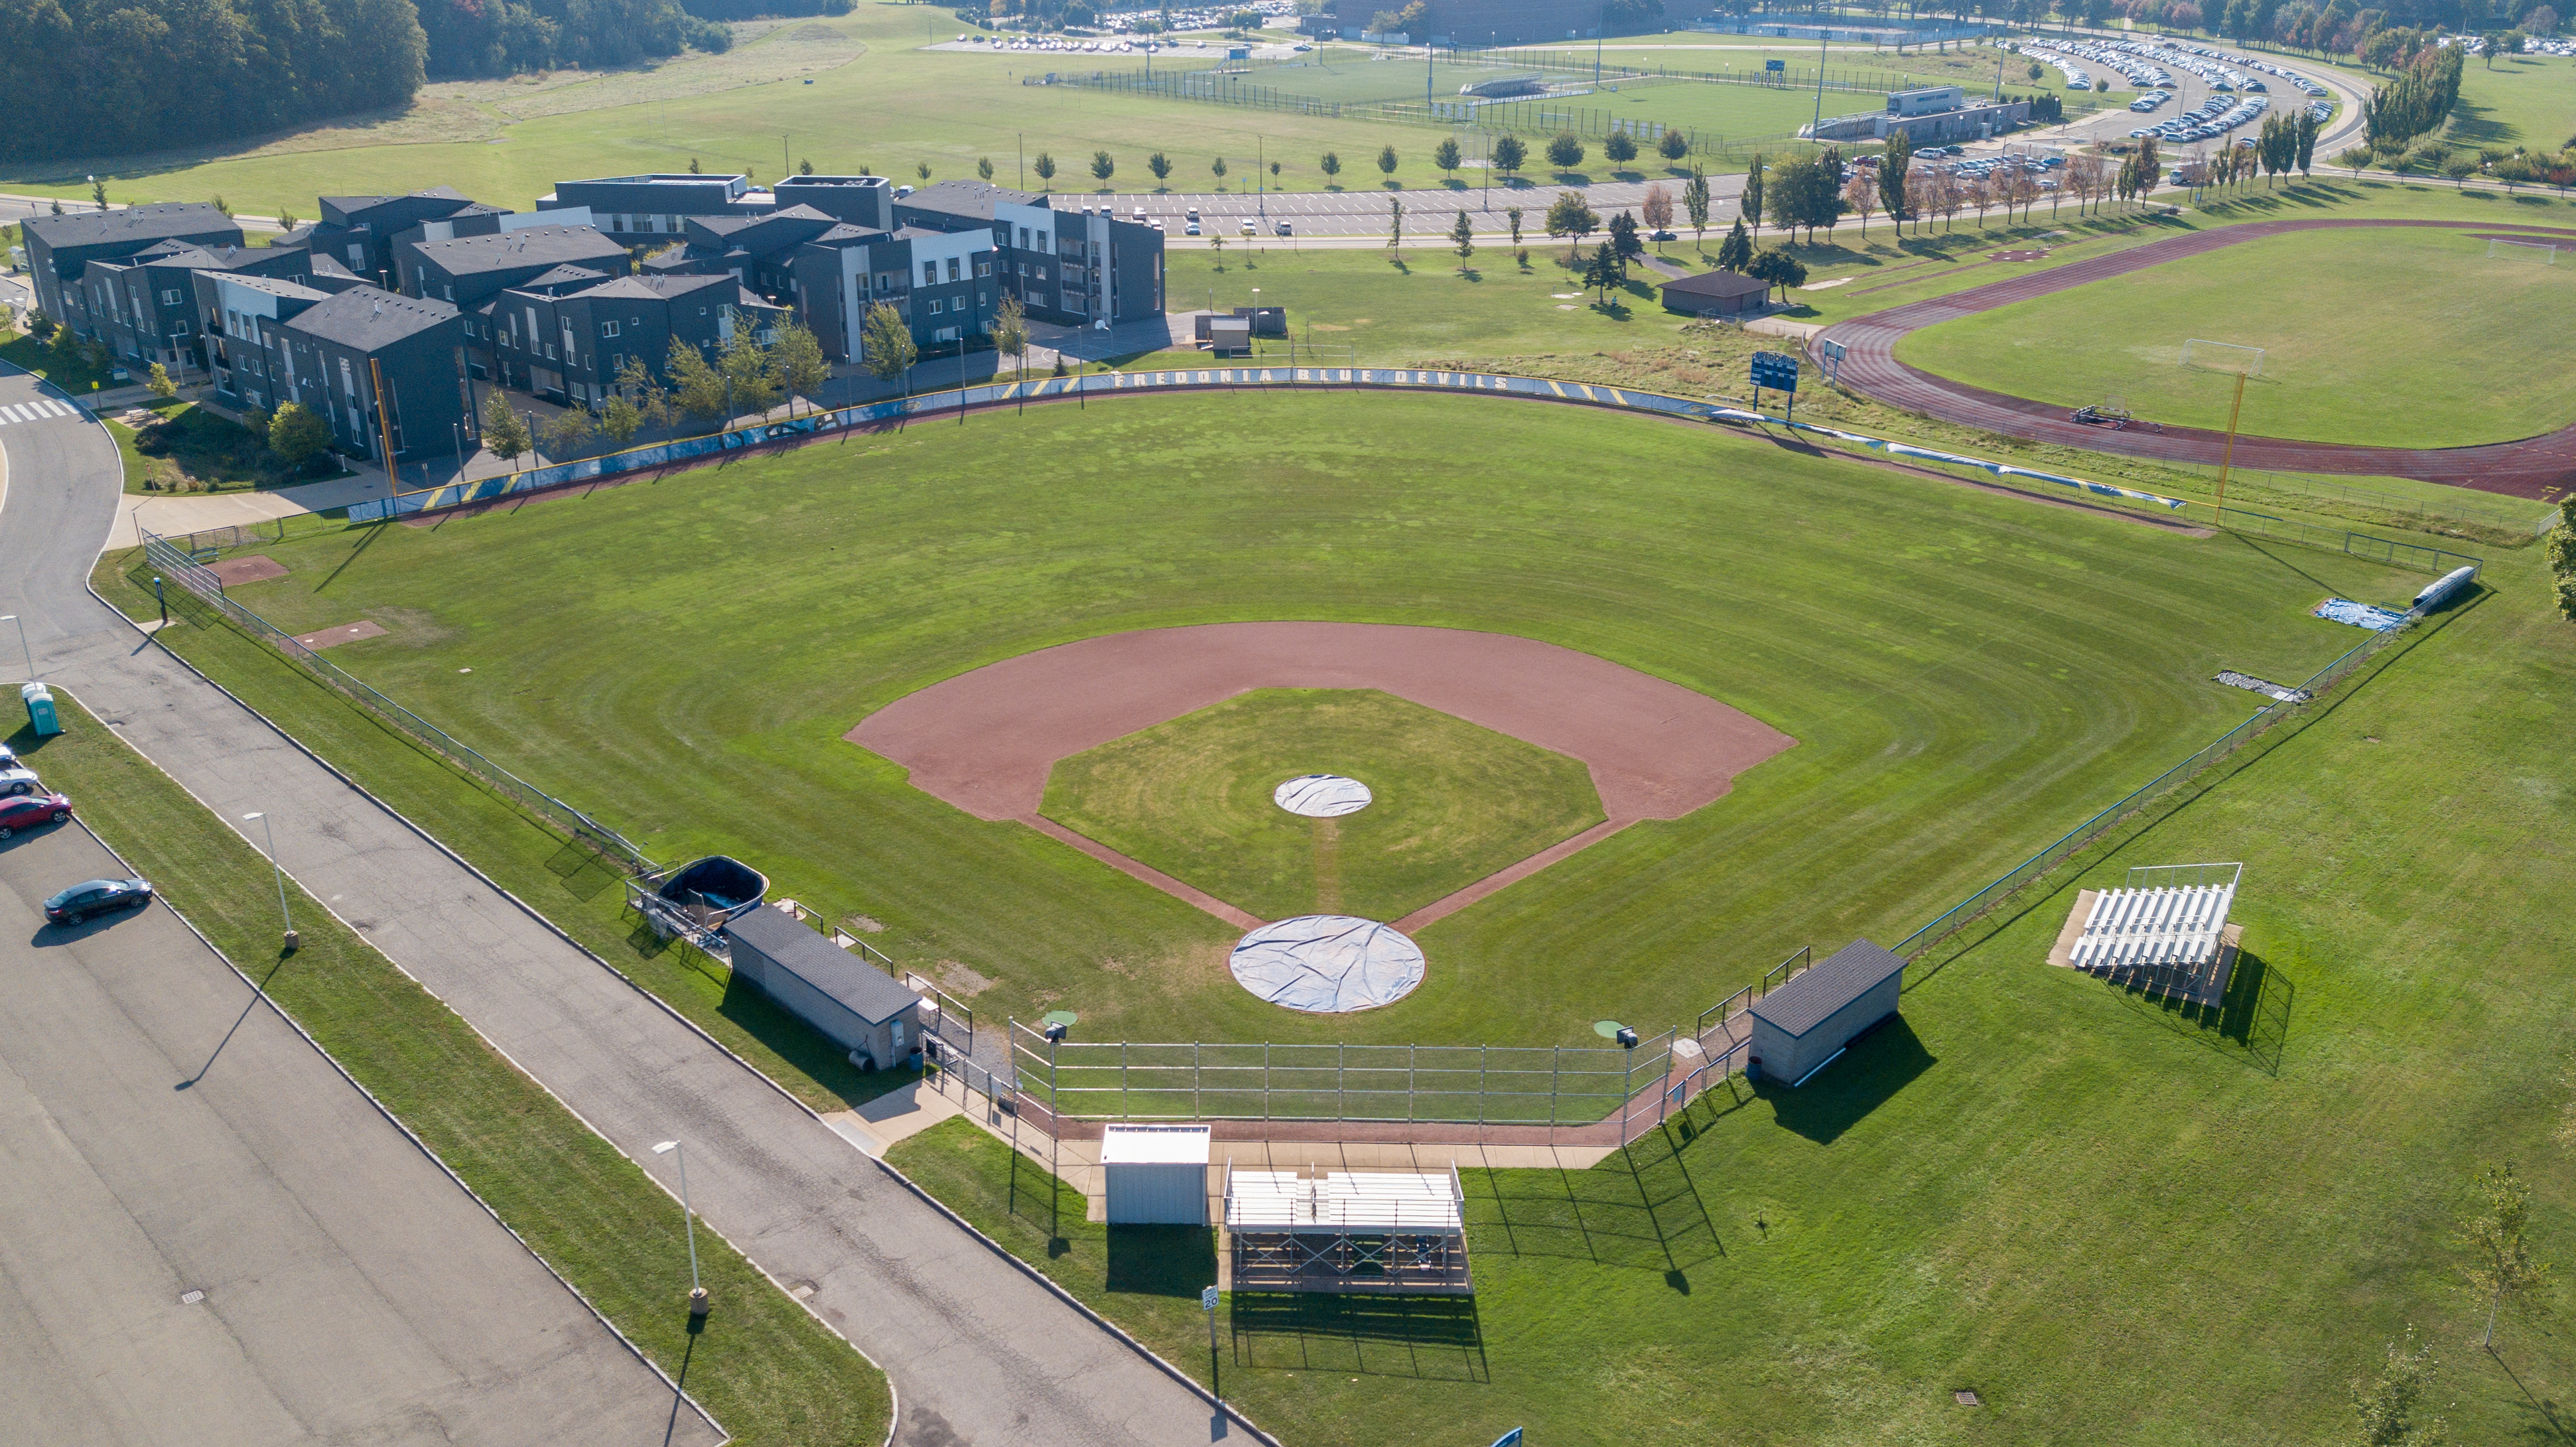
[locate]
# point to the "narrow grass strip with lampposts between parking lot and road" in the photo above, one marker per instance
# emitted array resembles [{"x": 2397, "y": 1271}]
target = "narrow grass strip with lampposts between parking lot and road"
[{"x": 766, "y": 1368}]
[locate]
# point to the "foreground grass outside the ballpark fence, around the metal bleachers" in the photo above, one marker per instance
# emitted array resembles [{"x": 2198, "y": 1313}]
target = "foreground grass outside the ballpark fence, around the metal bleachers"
[{"x": 2057, "y": 1193}]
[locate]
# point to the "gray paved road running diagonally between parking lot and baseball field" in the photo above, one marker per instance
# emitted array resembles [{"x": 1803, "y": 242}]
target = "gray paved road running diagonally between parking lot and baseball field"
[{"x": 978, "y": 1353}]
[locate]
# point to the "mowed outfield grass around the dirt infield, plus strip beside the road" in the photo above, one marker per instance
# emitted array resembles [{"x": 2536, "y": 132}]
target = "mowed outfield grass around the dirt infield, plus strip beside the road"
[{"x": 1967, "y": 673}]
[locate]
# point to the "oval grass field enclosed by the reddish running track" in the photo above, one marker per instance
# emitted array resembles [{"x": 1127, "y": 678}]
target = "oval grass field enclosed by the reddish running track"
[{"x": 2389, "y": 339}]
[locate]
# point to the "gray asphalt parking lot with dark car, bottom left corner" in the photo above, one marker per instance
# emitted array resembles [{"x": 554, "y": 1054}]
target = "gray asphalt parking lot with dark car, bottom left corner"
[{"x": 164, "y": 1134}]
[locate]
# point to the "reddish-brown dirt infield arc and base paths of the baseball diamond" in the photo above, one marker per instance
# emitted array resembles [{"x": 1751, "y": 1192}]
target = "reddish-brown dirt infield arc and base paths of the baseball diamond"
[{"x": 985, "y": 740}]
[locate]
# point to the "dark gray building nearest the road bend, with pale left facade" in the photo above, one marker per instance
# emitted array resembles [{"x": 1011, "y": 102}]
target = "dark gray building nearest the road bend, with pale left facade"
[{"x": 375, "y": 364}]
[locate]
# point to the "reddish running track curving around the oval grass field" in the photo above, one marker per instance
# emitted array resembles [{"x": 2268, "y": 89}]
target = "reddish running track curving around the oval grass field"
[{"x": 2531, "y": 467}]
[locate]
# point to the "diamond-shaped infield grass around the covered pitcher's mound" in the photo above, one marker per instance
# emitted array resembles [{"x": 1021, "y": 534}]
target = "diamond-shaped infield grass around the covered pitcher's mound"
[{"x": 1452, "y": 802}]
